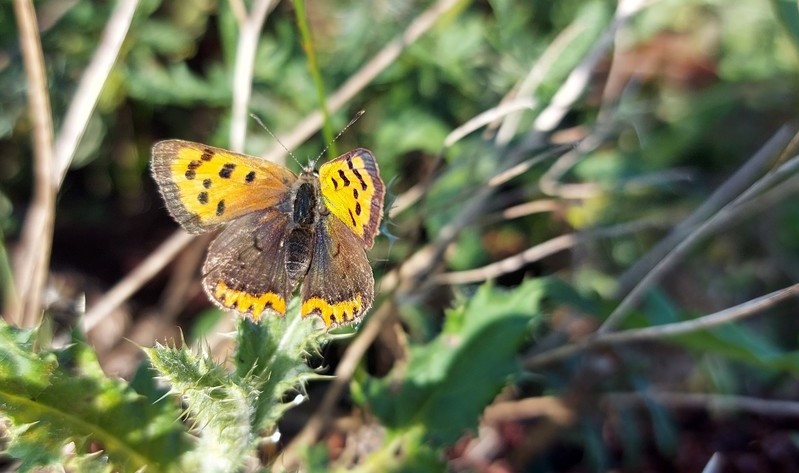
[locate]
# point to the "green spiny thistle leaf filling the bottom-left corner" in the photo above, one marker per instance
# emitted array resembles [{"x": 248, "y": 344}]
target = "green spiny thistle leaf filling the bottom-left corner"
[{"x": 54, "y": 398}]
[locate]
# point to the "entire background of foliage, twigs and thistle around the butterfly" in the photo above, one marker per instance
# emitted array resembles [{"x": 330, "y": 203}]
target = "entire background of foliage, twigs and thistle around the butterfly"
[{"x": 590, "y": 224}]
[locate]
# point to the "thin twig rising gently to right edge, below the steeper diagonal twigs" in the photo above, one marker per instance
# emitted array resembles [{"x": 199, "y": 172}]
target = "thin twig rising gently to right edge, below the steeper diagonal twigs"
[{"x": 725, "y": 316}]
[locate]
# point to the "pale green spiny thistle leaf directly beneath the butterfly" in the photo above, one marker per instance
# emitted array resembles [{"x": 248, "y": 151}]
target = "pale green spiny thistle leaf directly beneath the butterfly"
[{"x": 231, "y": 411}]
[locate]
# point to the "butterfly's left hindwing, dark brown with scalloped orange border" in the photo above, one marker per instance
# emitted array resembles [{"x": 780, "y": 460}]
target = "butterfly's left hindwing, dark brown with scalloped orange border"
[{"x": 245, "y": 270}]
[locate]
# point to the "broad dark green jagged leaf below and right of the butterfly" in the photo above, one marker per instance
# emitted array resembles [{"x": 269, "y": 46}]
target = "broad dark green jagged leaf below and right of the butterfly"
[{"x": 447, "y": 383}]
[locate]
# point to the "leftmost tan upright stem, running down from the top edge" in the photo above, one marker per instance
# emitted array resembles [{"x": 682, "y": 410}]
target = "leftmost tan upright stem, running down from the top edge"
[{"x": 37, "y": 232}]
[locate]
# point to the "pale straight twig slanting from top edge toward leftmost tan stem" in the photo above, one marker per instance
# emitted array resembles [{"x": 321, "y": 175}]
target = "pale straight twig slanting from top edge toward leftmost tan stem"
[{"x": 91, "y": 84}]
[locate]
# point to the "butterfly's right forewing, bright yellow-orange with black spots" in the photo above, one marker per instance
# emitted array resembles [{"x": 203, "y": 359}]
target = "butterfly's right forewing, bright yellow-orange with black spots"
[{"x": 353, "y": 191}]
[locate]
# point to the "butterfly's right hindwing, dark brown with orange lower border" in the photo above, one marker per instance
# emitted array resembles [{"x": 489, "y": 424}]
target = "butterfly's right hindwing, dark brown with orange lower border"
[{"x": 339, "y": 288}]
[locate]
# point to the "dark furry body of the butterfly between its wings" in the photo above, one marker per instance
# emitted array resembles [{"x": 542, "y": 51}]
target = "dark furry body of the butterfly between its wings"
[{"x": 306, "y": 207}]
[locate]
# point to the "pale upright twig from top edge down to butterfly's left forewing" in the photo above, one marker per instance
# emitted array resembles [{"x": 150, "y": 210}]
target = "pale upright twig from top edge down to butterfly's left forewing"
[{"x": 246, "y": 48}]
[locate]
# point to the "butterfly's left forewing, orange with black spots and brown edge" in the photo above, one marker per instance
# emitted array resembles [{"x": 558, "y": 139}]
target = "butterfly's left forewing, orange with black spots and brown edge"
[{"x": 204, "y": 186}]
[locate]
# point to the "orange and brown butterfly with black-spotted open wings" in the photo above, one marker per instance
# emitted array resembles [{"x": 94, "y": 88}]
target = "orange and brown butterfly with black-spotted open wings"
[{"x": 283, "y": 230}]
